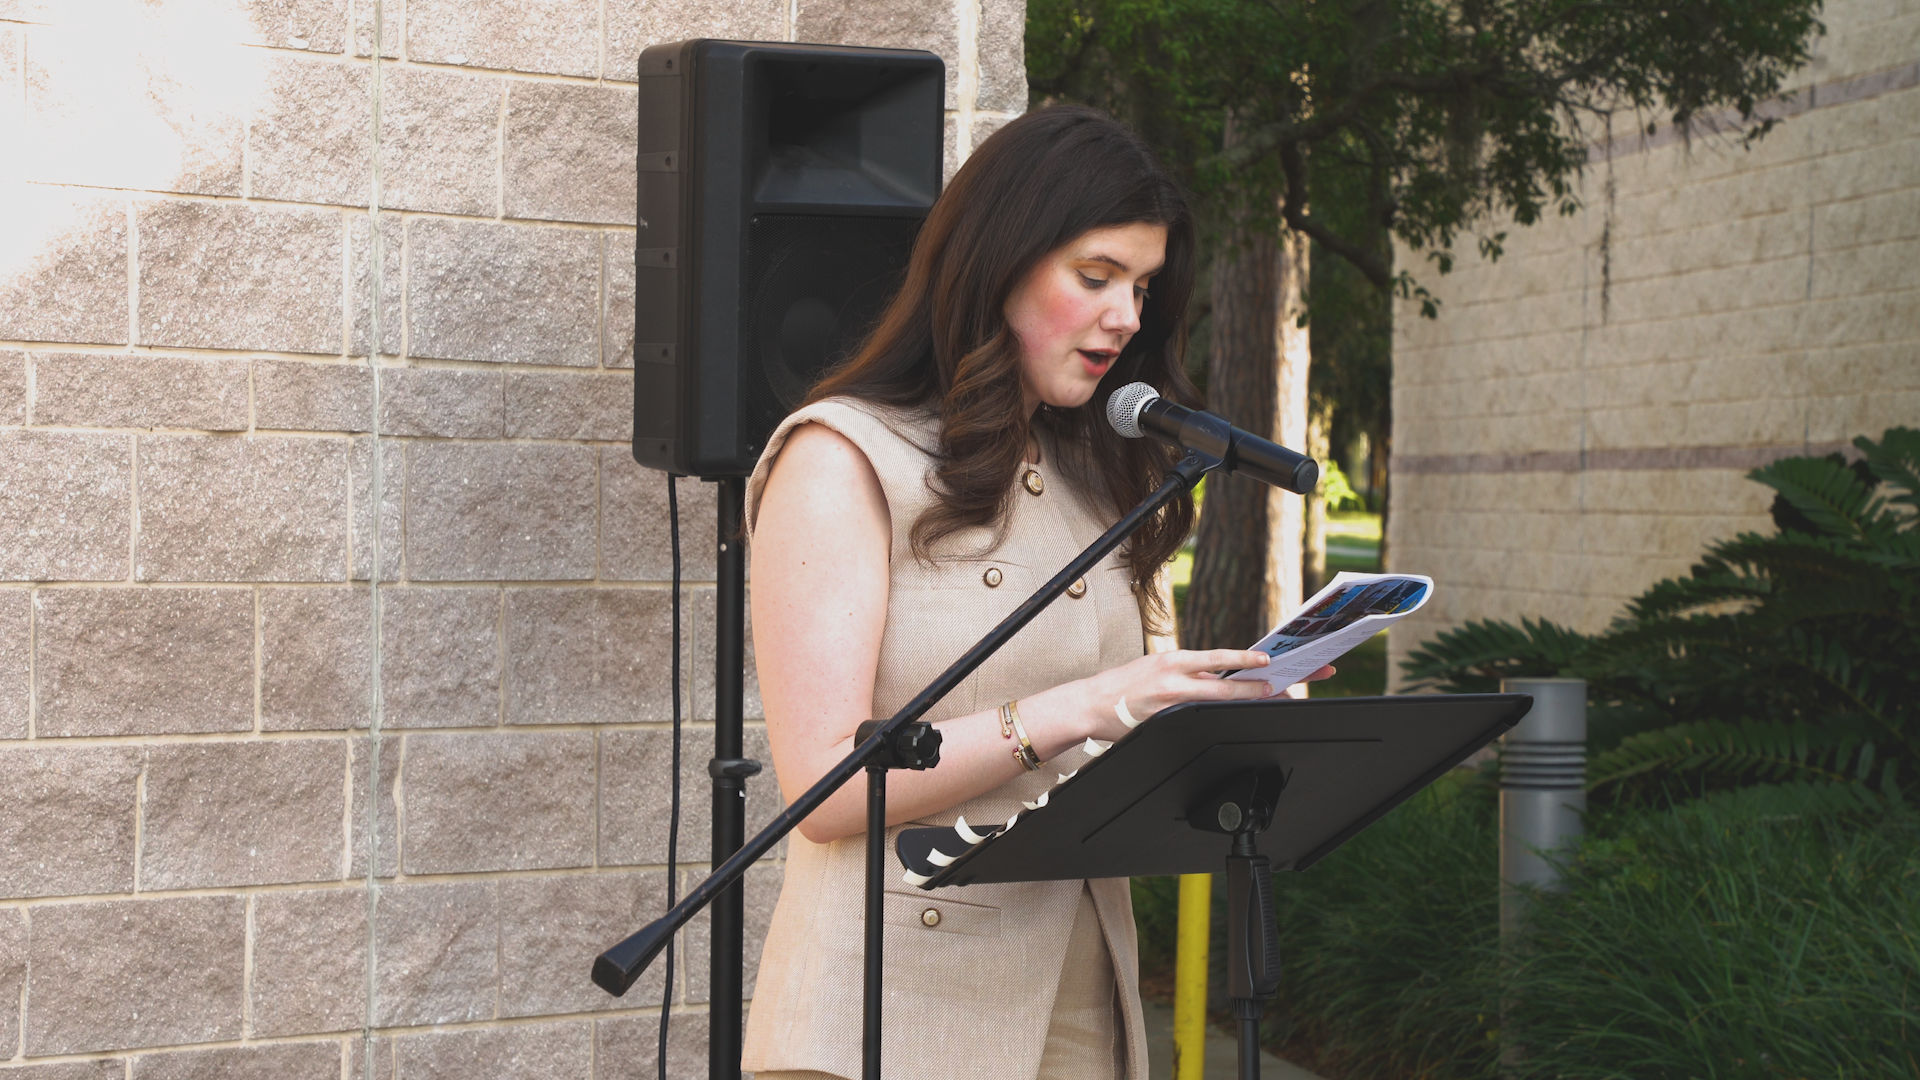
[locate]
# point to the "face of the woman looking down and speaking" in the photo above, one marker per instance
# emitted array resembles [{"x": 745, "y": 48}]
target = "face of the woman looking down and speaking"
[{"x": 1080, "y": 307}]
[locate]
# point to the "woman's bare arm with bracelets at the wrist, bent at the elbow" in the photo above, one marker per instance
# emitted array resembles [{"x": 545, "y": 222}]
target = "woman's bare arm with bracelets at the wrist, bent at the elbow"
[{"x": 821, "y": 570}]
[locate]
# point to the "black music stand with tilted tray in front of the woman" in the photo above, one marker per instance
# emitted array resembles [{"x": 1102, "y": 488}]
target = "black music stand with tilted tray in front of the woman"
[{"x": 1189, "y": 791}]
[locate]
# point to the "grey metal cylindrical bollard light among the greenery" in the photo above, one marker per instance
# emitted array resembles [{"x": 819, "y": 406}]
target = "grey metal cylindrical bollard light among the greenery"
[{"x": 1543, "y": 787}]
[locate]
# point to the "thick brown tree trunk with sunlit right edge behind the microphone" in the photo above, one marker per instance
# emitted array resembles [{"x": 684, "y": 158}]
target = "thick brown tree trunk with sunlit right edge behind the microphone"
[{"x": 1247, "y": 560}]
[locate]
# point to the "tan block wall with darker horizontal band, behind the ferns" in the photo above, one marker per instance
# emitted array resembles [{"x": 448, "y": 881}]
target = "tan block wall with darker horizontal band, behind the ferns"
[{"x": 1579, "y": 422}]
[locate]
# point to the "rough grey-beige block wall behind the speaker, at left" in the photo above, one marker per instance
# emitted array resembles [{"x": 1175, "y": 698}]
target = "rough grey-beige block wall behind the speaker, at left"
[{"x": 241, "y": 831}]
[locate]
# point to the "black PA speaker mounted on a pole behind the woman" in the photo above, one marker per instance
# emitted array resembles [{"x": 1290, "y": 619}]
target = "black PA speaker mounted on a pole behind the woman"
[{"x": 780, "y": 191}]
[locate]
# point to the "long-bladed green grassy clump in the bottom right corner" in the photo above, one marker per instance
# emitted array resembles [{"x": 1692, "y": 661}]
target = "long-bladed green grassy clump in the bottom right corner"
[{"x": 1712, "y": 945}]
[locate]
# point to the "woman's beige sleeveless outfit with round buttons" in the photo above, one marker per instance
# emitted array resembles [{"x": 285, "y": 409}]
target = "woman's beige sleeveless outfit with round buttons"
[{"x": 1013, "y": 981}]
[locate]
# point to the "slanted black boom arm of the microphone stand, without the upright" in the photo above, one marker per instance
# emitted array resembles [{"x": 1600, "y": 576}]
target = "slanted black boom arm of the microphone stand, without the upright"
[{"x": 619, "y": 968}]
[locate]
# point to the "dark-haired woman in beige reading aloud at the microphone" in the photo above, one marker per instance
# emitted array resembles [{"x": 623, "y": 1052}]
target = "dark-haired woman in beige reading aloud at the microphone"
[{"x": 924, "y": 491}]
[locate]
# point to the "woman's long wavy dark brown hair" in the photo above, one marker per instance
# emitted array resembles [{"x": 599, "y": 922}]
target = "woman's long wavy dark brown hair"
[{"x": 944, "y": 343}]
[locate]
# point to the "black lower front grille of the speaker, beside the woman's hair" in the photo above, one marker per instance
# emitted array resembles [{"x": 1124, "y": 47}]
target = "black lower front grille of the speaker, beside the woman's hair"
[{"x": 817, "y": 285}]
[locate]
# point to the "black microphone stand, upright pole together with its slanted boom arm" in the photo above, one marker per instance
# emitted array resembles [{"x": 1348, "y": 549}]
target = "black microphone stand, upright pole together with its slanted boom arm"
[{"x": 900, "y": 743}]
